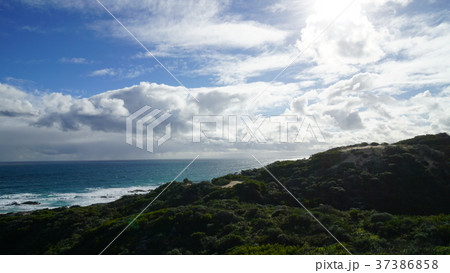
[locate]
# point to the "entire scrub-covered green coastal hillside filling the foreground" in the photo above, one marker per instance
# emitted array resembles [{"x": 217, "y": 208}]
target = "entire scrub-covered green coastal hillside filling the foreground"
[{"x": 375, "y": 198}]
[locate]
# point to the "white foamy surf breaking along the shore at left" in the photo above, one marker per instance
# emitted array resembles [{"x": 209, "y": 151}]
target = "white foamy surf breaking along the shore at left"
[{"x": 54, "y": 200}]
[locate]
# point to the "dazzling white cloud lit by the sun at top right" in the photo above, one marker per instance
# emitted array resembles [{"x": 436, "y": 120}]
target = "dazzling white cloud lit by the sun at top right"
[{"x": 351, "y": 40}]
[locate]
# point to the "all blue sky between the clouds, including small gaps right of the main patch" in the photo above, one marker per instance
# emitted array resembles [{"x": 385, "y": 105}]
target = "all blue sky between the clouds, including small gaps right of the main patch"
[{"x": 59, "y": 50}]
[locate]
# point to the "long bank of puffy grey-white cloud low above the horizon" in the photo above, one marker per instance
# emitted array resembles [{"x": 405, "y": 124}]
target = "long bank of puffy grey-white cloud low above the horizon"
[{"x": 346, "y": 112}]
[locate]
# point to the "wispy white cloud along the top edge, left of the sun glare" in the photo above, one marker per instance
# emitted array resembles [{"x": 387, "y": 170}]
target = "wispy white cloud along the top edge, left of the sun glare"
[{"x": 186, "y": 25}]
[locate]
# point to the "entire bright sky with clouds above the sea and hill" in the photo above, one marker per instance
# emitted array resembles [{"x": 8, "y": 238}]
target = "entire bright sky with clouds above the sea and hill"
[{"x": 357, "y": 70}]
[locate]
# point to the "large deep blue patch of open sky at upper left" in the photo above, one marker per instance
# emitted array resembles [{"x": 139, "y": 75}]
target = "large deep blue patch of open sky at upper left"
[{"x": 56, "y": 51}]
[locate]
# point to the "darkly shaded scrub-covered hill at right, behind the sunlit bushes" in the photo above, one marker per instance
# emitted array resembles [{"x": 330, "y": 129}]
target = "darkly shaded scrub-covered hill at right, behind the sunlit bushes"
[{"x": 400, "y": 178}]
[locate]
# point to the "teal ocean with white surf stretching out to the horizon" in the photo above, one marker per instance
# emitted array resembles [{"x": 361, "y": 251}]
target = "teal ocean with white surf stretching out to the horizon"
[{"x": 57, "y": 184}]
